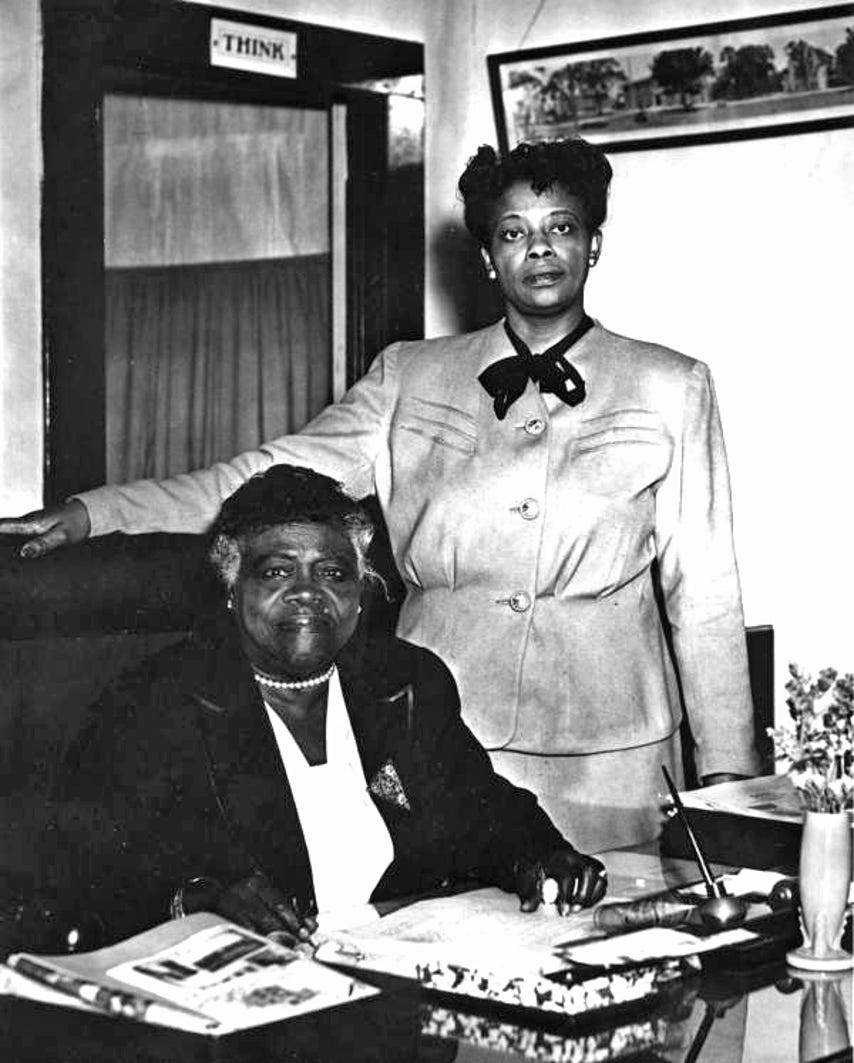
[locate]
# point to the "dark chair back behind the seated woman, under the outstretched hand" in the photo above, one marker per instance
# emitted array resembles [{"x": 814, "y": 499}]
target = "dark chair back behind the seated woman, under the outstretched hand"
[{"x": 72, "y": 621}]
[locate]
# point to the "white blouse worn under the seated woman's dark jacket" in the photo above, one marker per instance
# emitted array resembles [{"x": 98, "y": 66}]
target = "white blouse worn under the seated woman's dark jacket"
[{"x": 348, "y": 842}]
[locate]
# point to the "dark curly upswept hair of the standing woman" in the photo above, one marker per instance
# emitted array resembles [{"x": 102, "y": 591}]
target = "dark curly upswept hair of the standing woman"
[{"x": 580, "y": 167}]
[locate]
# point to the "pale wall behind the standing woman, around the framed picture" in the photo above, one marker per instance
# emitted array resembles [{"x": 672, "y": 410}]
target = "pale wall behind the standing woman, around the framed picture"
[{"x": 736, "y": 255}]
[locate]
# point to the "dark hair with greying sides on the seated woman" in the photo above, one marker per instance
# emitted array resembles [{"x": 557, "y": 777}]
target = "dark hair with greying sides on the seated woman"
[{"x": 287, "y": 495}]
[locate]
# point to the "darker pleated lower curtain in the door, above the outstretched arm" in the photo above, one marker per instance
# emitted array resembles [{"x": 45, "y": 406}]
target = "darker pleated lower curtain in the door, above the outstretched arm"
[{"x": 206, "y": 362}]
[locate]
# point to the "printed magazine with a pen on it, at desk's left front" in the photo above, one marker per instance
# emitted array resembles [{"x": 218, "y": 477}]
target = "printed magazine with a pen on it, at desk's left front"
[{"x": 200, "y": 974}]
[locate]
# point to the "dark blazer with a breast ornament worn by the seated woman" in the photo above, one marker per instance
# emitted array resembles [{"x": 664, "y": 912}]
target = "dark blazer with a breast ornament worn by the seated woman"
[{"x": 177, "y": 774}]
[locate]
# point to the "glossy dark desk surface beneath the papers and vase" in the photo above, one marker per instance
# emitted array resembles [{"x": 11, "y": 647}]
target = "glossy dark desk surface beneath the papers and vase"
[{"x": 728, "y": 1016}]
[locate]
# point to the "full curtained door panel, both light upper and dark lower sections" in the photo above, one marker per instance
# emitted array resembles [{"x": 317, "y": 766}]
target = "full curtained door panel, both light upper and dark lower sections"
[{"x": 219, "y": 331}]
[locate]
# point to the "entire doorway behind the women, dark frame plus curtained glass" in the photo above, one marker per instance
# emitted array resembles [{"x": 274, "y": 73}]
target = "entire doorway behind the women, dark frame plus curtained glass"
[{"x": 198, "y": 299}]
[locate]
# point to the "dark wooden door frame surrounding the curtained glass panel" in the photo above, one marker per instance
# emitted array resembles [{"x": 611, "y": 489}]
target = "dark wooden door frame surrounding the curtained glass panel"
[{"x": 161, "y": 47}]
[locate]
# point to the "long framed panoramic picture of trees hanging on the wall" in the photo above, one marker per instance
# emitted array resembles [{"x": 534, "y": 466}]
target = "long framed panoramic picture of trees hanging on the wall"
[{"x": 767, "y": 76}]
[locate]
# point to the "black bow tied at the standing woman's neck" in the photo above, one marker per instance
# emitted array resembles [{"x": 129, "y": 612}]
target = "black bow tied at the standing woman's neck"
[{"x": 507, "y": 380}]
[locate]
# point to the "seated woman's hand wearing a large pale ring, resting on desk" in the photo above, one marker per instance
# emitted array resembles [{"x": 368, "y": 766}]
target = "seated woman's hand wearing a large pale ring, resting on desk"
[{"x": 578, "y": 882}]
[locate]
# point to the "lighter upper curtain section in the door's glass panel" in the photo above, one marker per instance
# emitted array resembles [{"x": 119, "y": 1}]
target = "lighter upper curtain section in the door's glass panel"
[{"x": 194, "y": 181}]
